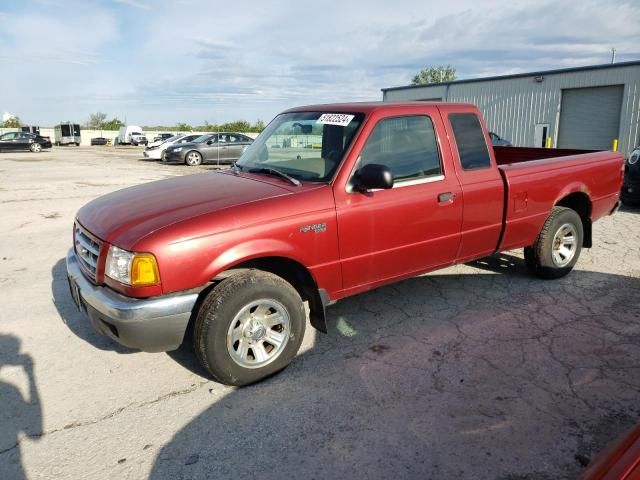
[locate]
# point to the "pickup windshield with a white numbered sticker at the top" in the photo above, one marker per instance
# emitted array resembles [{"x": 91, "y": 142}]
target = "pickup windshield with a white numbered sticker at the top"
[{"x": 307, "y": 146}]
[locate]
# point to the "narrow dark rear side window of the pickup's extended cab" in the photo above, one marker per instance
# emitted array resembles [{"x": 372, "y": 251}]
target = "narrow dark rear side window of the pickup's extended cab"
[{"x": 470, "y": 140}]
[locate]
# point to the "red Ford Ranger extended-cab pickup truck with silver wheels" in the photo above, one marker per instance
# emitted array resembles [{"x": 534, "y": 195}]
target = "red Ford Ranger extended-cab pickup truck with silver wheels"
[{"x": 328, "y": 202}]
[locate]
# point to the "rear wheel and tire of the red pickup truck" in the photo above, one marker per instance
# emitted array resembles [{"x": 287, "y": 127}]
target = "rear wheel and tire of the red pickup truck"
[{"x": 549, "y": 256}]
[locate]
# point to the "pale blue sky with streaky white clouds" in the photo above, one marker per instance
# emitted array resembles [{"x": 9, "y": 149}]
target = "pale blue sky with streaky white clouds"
[{"x": 161, "y": 62}]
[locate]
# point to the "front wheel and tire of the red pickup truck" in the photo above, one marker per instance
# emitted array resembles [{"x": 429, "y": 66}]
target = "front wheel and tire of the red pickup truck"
[{"x": 220, "y": 319}]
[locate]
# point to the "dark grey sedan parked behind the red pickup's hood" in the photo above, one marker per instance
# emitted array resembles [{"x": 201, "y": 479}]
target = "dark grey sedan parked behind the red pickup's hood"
[{"x": 218, "y": 148}]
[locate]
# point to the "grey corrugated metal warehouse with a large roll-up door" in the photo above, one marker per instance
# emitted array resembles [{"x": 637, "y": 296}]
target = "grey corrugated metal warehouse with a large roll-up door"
[{"x": 585, "y": 107}]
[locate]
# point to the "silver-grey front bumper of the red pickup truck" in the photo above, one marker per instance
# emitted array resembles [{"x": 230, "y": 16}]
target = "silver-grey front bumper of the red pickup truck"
[{"x": 151, "y": 324}]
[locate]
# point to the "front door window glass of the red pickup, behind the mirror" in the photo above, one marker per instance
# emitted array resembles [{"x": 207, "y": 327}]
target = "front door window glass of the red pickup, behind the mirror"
[{"x": 407, "y": 145}]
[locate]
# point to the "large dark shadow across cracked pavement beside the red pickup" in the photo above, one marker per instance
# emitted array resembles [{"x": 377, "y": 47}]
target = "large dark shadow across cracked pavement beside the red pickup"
[{"x": 452, "y": 375}]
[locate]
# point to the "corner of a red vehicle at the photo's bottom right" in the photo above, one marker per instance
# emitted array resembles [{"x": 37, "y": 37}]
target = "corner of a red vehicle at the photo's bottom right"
[{"x": 619, "y": 461}]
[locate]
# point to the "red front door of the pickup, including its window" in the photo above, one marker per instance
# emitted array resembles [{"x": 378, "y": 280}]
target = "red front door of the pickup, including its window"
[{"x": 414, "y": 226}]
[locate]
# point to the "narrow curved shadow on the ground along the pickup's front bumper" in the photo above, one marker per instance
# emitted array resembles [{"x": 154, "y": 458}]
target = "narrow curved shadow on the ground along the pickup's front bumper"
[{"x": 76, "y": 321}]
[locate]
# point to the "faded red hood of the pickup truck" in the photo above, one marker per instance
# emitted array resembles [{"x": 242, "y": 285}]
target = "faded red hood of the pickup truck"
[{"x": 124, "y": 217}]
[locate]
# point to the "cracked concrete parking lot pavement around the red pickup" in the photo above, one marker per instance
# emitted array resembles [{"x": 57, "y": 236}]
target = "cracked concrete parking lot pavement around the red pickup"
[{"x": 476, "y": 371}]
